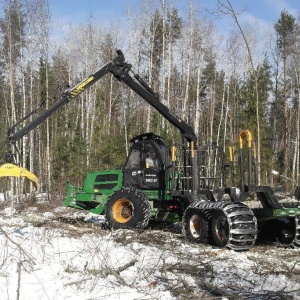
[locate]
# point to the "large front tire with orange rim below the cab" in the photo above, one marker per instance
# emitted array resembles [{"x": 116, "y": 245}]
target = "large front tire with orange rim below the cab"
[{"x": 139, "y": 205}]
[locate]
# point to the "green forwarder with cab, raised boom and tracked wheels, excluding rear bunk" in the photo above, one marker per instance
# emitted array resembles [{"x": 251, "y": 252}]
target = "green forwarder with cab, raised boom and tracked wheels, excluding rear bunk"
[{"x": 170, "y": 189}]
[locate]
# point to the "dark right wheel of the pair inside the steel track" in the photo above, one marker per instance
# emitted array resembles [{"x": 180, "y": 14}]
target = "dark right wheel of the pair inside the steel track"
[{"x": 218, "y": 216}]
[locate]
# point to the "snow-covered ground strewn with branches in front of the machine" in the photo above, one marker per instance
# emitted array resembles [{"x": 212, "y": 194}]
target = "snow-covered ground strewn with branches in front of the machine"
[{"x": 67, "y": 254}]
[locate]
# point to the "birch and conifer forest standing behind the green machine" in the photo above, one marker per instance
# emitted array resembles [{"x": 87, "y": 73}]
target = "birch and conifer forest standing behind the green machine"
[{"x": 219, "y": 84}]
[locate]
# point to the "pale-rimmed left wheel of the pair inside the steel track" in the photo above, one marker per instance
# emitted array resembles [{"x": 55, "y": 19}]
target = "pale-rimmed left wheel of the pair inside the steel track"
[{"x": 198, "y": 231}]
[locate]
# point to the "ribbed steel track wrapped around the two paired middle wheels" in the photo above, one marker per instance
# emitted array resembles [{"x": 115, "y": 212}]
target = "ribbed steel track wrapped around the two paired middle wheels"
[{"x": 241, "y": 220}]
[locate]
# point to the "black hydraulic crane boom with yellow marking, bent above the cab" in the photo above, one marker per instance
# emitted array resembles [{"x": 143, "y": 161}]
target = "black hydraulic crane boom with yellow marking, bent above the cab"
[{"x": 120, "y": 69}]
